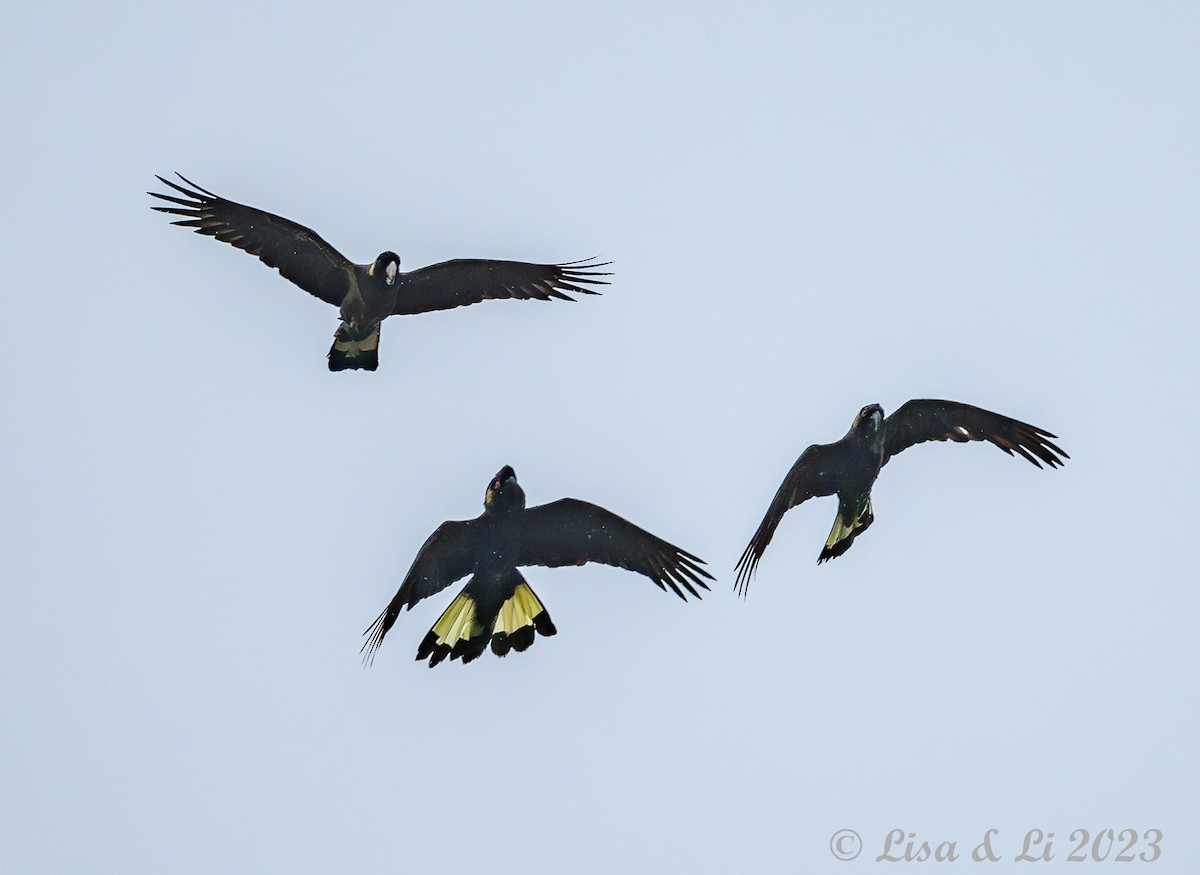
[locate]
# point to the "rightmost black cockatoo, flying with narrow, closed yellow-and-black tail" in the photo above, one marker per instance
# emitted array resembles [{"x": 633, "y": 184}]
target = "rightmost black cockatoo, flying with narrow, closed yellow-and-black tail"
[{"x": 850, "y": 468}]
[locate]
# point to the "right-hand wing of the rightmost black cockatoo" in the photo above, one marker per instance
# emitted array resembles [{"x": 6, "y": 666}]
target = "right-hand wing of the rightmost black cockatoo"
[{"x": 921, "y": 421}]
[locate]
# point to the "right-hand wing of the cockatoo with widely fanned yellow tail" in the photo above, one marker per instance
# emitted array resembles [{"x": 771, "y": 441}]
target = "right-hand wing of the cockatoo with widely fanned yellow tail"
[{"x": 569, "y": 532}]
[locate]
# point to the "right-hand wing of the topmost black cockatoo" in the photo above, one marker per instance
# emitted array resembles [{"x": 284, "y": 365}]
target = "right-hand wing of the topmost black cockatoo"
[{"x": 472, "y": 280}]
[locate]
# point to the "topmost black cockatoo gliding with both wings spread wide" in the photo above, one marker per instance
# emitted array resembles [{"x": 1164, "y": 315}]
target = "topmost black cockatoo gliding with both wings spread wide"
[{"x": 367, "y": 295}]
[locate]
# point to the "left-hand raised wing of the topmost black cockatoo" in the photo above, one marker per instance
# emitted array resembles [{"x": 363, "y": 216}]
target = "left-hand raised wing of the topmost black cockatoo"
[{"x": 298, "y": 253}]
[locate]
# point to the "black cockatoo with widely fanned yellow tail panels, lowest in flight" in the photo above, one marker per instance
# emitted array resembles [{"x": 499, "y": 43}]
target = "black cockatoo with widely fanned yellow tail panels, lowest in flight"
[{"x": 497, "y": 606}]
